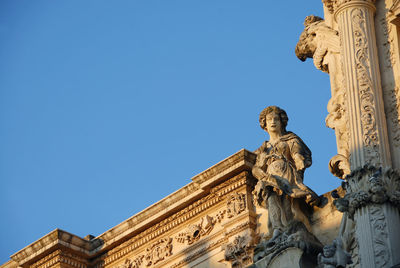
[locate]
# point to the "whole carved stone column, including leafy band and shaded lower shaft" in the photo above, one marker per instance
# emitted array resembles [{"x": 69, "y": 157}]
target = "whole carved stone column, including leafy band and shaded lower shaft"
[{"x": 373, "y": 195}]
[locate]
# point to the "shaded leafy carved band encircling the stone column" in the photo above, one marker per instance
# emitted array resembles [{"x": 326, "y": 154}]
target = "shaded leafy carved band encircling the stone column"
[{"x": 369, "y": 185}]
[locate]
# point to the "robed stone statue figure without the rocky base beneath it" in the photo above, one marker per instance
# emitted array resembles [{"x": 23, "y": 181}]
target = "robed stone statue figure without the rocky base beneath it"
[{"x": 279, "y": 168}]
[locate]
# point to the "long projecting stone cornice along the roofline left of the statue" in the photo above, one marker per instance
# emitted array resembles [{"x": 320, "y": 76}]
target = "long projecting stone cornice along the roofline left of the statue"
[{"x": 206, "y": 190}]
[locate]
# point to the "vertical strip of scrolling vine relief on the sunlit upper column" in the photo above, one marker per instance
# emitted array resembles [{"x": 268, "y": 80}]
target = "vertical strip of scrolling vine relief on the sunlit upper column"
[{"x": 363, "y": 67}]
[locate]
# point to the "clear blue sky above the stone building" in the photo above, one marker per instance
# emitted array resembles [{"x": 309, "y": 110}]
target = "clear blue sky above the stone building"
[{"x": 108, "y": 106}]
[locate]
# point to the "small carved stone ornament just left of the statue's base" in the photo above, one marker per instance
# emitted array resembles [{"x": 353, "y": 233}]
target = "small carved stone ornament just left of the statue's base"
[{"x": 239, "y": 251}]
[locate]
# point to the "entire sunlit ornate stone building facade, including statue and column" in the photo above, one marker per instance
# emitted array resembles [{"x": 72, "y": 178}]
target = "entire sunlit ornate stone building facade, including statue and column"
[{"x": 242, "y": 213}]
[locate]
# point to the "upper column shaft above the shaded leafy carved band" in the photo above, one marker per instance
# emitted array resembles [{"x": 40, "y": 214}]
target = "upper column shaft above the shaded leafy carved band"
[{"x": 367, "y": 124}]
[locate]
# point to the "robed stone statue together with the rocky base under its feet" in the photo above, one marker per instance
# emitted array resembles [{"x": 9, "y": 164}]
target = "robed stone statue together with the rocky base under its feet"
[{"x": 279, "y": 168}]
